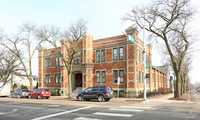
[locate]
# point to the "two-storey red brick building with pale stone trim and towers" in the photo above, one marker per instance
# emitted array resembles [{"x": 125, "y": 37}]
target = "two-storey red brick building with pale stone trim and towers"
[{"x": 101, "y": 62}]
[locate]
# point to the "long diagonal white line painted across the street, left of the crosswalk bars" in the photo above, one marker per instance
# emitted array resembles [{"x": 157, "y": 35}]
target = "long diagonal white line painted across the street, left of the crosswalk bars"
[{"x": 61, "y": 113}]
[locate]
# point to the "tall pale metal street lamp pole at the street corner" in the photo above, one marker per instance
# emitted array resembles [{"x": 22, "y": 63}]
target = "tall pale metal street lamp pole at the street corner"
[{"x": 144, "y": 60}]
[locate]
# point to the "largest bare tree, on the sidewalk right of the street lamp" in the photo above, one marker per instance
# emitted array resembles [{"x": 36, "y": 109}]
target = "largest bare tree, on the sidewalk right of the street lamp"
[{"x": 167, "y": 20}]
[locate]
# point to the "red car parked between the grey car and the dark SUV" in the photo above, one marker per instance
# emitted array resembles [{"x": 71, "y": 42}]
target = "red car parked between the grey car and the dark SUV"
[{"x": 40, "y": 93}]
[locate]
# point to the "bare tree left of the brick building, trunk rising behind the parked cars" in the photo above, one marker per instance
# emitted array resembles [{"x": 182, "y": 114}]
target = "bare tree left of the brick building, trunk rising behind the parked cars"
[{"x": 23, "y": 45}]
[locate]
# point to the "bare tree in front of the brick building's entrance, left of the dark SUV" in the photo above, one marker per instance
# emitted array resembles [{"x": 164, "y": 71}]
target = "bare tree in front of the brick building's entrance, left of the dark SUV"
[{"x": 69, "y": 40}]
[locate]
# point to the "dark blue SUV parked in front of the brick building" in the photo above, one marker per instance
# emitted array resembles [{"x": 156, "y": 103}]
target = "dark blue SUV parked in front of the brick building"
[{"x": 97, "y": 92}]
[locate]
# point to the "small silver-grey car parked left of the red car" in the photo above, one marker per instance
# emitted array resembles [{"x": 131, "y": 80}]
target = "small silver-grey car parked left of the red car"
[{"x": 19, "y": 93}]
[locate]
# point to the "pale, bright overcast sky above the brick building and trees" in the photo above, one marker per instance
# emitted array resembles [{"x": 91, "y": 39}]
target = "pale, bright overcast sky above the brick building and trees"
[{"x": 103, "y": 17}]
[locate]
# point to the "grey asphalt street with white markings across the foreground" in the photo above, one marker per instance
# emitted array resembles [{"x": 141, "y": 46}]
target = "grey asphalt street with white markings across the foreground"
[{"x": 26, "y": 110}]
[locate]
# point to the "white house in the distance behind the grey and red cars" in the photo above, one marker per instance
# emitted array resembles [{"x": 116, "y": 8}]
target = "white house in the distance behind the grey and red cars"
[{"x": 20, "y": 79}]
